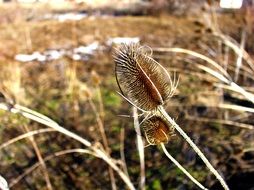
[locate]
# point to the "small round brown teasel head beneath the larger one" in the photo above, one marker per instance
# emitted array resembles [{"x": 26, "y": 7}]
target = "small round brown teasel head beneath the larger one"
[{"x": 157, "y": 130}]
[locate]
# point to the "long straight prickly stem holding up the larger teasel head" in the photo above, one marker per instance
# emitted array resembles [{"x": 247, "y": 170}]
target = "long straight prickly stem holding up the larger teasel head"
[{"x": 194, "y": 146}]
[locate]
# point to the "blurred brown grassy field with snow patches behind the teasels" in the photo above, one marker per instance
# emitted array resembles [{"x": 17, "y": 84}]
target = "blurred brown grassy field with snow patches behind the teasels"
[{"x": 56, "y": 59}]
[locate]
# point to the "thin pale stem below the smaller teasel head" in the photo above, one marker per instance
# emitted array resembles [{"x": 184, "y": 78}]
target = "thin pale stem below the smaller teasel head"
[{"x": 182, "y": 168}]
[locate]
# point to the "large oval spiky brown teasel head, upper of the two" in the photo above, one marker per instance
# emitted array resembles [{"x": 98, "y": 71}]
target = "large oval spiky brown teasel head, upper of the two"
[{"x": 141, "y": 79}]
